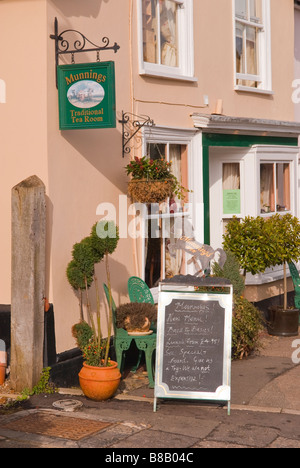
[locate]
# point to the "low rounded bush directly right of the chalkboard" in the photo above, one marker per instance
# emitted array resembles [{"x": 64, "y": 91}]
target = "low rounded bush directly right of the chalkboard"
[{"x": 247, "y": 322}]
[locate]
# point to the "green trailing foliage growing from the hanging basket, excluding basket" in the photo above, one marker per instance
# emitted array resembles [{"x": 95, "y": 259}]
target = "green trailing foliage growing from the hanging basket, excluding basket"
[{"x": 155, "y": 170}]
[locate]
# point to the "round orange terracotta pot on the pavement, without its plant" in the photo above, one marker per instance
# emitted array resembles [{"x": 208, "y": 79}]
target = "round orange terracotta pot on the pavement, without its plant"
[{"x": 99, "y": 383}]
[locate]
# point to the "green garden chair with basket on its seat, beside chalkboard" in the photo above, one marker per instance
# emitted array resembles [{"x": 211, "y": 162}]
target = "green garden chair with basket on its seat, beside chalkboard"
[{"x": 122, "y": 343}]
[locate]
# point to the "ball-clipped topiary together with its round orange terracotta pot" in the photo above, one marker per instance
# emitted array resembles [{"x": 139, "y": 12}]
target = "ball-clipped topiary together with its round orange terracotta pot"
[{"x": 100, "y": 377}]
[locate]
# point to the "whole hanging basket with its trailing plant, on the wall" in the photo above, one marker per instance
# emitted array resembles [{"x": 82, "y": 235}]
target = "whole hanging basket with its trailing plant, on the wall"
[{"x": 152, "y": 181}]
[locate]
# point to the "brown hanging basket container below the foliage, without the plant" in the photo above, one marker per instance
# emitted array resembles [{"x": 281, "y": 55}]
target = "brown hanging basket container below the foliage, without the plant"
[{"x": 150, "y": 191}]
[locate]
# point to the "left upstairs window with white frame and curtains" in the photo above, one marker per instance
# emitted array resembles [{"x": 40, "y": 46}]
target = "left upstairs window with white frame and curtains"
[{"x": 167, "y": 40}]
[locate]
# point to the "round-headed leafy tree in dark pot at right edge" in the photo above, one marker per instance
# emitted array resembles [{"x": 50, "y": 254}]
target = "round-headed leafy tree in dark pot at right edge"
[{"x": 260, "y": 243}]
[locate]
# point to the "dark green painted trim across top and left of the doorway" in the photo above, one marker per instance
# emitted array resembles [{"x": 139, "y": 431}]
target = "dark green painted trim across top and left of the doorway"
[{"x": 243, "y": 141}]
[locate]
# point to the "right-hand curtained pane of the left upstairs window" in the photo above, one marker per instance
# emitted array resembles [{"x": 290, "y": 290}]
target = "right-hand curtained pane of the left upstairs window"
[{"x": 169, "y": 33}]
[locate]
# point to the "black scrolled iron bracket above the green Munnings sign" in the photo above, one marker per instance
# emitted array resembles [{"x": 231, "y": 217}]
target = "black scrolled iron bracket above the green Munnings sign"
[{"x": 81, "y": 44}]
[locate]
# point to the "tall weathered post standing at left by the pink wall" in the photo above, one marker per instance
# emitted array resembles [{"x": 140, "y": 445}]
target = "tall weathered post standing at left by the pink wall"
[{"x": 27, "y": 282}]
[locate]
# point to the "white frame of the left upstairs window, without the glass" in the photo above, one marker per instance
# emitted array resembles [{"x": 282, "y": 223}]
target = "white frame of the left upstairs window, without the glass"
[{"x": 185, "y": 70}]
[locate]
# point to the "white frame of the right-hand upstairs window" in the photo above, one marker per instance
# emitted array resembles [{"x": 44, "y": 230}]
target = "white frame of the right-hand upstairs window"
[{"x": 264, "y": 53}]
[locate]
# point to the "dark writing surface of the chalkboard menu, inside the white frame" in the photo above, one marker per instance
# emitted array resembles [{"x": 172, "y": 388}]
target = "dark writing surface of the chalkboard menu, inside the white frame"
[{"x": 193, "y": 346}]
